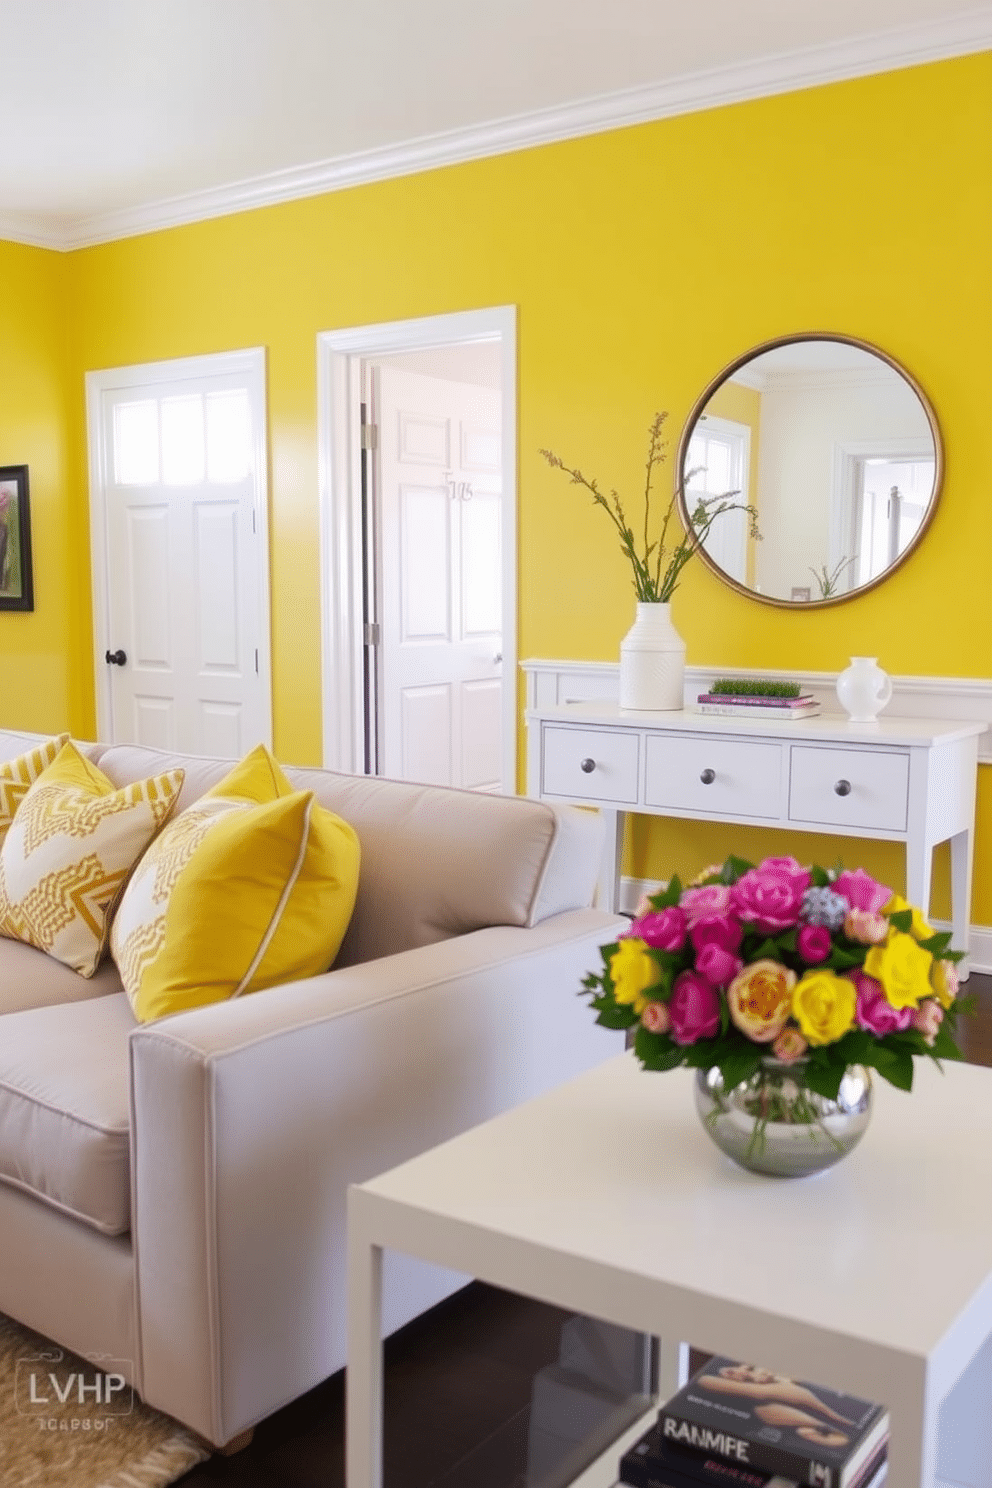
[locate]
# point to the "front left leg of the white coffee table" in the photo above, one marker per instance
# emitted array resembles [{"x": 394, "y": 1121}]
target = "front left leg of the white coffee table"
[{"x": 364, "y": 1376}]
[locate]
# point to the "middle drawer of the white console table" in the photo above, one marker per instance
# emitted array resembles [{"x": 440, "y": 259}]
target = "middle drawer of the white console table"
[{"x": 722, "y": 776}]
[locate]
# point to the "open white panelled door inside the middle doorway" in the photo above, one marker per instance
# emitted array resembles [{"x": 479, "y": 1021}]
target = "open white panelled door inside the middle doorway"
[{"x": 439, "y": 580}]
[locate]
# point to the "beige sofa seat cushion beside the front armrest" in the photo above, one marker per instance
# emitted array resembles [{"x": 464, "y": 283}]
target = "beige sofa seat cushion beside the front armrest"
[{"x": 65, "y": 1109}]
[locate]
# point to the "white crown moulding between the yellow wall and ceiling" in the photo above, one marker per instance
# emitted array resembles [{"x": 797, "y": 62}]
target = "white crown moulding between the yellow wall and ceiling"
[{"x": 785, "y": 72}]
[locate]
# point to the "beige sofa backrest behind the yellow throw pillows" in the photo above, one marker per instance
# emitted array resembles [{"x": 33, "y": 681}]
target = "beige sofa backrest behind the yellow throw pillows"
[{"x": 435, "y": 862}]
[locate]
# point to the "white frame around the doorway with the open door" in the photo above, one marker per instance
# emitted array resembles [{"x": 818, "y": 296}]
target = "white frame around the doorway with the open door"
[{"x": 338, "y": 397}]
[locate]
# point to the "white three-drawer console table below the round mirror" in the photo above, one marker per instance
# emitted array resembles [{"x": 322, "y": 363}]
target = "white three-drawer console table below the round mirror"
[{"x": 901, "y": 780}]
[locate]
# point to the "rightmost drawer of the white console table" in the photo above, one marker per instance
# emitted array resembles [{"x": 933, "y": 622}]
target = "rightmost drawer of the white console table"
[{"x": 877, "y": 795}]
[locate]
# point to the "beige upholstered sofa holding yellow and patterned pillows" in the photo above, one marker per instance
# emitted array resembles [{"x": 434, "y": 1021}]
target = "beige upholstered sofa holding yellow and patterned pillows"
[{"x": 173, "y": 1194}]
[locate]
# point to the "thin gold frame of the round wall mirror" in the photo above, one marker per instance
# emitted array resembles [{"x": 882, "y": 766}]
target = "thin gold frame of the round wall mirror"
[{"x": 724, "y": 377}]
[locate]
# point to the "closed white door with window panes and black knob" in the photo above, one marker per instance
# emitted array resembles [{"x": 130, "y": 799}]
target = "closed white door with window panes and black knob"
[{"x": 181, "y": 554}]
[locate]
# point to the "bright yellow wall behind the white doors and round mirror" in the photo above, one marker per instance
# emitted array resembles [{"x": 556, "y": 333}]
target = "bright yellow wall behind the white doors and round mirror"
[{"x": 862, "y": 208}]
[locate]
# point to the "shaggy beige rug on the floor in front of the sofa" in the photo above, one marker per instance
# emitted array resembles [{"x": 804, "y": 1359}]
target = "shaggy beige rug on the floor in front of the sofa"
[{"x": 74, "y": 1422}]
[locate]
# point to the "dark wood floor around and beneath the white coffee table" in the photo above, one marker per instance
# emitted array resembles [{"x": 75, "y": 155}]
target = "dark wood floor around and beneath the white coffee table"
[{"x": 457, "y": 1385}]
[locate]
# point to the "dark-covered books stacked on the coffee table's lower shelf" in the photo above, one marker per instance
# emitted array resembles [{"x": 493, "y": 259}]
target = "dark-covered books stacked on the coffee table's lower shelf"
[{"x": 737, "y": 1425}]
